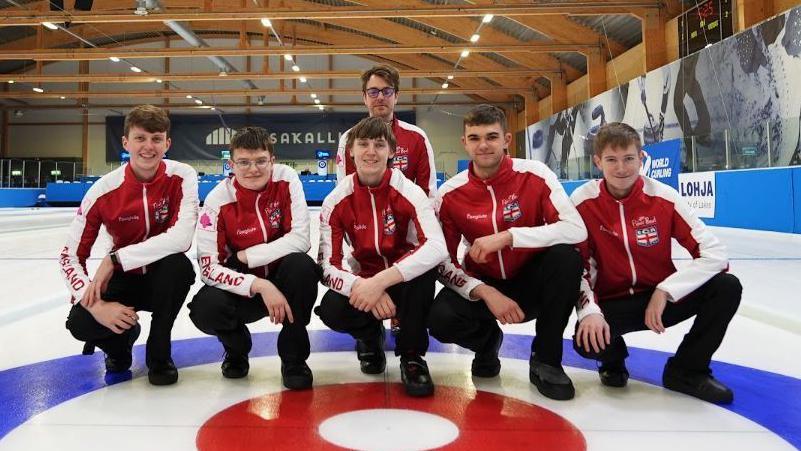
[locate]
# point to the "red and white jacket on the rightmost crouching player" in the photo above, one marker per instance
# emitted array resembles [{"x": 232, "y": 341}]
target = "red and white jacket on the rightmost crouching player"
[{"x": 628, "y": 249}]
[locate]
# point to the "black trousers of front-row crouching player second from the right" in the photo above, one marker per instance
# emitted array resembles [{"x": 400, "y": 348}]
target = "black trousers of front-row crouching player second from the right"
[{"x": 546, "y": 288}]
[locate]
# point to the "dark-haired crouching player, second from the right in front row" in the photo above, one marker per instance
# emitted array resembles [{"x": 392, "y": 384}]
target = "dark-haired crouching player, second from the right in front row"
[{"x": 520, "y": 228}]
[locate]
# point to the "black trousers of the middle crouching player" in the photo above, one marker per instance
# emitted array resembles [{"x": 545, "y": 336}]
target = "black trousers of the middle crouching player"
[{"x": 412, "y": 302}]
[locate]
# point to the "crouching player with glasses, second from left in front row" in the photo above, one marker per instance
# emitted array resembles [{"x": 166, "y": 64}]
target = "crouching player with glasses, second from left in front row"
[{"x": 252, "y": 239}]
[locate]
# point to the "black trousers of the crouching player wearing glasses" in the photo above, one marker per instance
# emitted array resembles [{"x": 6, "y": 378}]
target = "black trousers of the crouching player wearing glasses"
[{"x": 225, "y": 315}]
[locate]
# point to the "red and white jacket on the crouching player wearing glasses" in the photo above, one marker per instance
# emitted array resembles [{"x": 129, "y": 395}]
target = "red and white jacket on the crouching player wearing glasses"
[{"x": 267, "y": 224}]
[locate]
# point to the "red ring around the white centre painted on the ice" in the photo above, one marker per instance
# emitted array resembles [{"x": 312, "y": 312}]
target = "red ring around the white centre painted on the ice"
[{"x": 290, "y": 419}]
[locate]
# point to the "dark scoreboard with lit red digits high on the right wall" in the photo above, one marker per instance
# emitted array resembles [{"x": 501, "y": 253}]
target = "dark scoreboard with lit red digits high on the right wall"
[{"x": 707, "y": 22}]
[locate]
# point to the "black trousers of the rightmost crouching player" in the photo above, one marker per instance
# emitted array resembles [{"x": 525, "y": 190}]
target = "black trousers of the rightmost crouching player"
[{"x": 713, "y": 305}]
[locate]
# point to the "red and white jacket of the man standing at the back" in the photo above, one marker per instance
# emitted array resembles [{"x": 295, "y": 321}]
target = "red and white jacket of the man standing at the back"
[{"x": 414, "y": 156}]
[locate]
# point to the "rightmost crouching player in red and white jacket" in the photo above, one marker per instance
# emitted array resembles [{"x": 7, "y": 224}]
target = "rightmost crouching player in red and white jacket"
[{"x": 630, "y": 281}]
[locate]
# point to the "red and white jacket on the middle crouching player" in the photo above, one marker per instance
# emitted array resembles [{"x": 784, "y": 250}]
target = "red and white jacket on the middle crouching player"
[{"x": 391, "y": 224}]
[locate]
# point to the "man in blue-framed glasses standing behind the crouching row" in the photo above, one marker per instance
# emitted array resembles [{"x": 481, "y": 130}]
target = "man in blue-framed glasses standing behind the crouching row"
[{"x": 414, "y": 155}]
